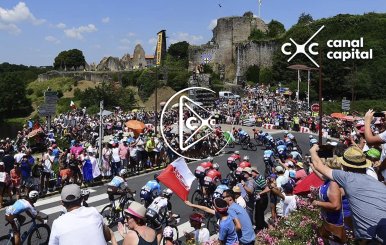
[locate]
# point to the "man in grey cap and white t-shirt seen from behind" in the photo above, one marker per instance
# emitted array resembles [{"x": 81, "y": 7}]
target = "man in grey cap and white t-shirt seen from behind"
[{"x": 80, "y": 223}]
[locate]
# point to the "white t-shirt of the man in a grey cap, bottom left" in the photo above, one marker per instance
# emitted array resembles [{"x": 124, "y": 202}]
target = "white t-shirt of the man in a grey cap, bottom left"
[{"x": 80, "y": 226}]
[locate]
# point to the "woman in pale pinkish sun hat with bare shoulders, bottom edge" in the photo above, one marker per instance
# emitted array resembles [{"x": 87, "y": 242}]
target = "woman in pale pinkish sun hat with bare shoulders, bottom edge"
[{"x": 138, "y": 232}]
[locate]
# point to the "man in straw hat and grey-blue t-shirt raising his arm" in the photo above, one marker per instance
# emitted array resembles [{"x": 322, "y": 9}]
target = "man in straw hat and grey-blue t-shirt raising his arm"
[{"x": 365, "y": 194}]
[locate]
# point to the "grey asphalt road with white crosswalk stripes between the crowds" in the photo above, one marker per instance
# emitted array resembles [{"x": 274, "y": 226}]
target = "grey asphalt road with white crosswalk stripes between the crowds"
[{"x": 98, "y": 197}]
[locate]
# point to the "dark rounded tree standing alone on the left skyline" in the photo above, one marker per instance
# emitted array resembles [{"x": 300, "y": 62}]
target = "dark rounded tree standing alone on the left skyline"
[{"x": 69, "y": 59}]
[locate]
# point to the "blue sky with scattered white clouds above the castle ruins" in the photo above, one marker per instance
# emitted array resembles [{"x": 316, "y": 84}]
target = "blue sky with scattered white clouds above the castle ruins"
[{"x": 33, "y": 32}]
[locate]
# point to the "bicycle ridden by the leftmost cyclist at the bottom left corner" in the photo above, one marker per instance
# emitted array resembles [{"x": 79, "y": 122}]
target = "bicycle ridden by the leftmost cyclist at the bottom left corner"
[{"x": 36, "y": 234}]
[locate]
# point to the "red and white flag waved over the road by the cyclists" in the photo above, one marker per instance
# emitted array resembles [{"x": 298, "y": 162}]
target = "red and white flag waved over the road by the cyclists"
[{"x": 178, "y": 177}]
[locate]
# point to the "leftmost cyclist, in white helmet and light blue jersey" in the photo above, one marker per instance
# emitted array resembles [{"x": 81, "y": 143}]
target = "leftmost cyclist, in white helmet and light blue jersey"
[{"x": 13, "y": 213}]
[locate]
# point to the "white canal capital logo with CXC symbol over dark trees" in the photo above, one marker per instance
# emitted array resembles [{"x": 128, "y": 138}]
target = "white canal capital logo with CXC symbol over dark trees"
[{"x": 353, "y": 53}]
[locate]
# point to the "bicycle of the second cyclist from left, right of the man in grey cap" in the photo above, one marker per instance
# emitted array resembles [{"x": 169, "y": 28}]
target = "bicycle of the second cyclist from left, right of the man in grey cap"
[{"x": 112, "y": 213}]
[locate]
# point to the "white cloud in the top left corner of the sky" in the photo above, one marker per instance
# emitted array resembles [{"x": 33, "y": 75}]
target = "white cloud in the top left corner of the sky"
[{"x": 19, "y": 13}]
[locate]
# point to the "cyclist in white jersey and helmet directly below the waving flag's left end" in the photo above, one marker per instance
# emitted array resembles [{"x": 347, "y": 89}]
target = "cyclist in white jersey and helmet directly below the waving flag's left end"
[{"x": 159, "y": 211}]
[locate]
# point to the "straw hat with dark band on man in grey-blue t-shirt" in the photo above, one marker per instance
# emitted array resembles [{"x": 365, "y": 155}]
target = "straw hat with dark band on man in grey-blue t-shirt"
[{"x": 354, "y": 157}]
